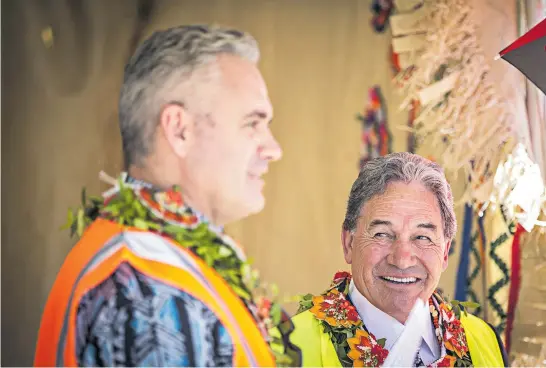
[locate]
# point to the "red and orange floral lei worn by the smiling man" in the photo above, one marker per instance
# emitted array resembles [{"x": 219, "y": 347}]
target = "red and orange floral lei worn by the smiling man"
[{"x": 357, "y": 347}]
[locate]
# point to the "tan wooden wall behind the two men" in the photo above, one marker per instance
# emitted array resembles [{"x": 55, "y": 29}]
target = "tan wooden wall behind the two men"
[{"x": 319, "y": 57}]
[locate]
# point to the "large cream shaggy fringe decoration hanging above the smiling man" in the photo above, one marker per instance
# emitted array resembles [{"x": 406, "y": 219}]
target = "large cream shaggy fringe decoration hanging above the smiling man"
[{"x": 462, "y": 114}]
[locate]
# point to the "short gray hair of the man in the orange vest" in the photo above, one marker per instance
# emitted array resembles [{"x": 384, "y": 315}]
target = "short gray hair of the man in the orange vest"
[{"x": 164, "y": 61}]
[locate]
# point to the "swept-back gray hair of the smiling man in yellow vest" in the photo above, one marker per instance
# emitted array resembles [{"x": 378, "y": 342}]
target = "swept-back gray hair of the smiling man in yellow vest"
[{"x": 405, "y": 167}]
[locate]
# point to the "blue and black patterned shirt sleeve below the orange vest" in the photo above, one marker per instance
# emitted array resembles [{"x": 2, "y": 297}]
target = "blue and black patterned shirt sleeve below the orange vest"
[{"x": 133, "y": 320}]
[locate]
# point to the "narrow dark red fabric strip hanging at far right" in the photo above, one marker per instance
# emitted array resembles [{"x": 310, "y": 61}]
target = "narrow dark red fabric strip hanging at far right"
[{"x": 513, "y": 295}]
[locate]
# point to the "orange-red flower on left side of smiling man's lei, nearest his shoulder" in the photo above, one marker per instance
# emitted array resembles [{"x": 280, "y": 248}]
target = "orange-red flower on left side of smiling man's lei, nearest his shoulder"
[{"x": 335, "y": 309}]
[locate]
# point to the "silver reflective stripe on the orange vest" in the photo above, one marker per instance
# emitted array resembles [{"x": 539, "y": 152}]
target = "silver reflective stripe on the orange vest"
[{"x": 155, "y": 248}]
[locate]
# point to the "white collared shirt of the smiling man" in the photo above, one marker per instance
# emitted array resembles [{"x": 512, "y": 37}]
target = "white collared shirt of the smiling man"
[{"x": 381, "y": 325}]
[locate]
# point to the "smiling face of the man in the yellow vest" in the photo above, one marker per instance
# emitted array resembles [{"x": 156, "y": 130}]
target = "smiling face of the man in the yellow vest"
[{"x": 398, "y": 250}]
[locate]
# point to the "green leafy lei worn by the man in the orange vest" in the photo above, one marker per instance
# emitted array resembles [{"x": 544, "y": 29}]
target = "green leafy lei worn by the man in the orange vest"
[{"x": 139, "y": 205}]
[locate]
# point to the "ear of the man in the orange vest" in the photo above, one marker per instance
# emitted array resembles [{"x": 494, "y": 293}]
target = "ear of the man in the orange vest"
[{"x": 176, "y": 125}]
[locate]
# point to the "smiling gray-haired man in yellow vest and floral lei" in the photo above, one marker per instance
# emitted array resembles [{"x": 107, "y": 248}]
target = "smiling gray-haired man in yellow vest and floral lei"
[{"x": 396, "y": 236}]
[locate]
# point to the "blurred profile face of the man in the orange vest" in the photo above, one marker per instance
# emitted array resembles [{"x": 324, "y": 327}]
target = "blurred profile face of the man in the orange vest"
[{"x": 234, "y": 144}]
